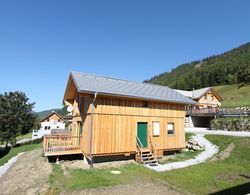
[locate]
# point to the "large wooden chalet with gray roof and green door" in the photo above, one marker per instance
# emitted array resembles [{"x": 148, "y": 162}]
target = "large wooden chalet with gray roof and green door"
[{"x": 119, "y": 117}]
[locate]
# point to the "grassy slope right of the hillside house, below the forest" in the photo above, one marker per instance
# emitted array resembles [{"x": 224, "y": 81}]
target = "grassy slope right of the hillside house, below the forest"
[{"x": 234, "y": 97}]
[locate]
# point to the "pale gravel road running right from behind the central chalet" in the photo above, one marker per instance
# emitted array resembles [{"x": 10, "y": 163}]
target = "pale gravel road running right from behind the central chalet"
[{"x": 205, "y": 131}]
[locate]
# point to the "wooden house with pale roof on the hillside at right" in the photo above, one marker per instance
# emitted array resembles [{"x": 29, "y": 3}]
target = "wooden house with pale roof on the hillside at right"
[{"x": 205, "y": 97}]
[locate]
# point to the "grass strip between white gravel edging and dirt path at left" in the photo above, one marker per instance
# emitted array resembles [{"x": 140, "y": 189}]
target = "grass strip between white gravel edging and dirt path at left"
[{"x": 14, "y": 151}]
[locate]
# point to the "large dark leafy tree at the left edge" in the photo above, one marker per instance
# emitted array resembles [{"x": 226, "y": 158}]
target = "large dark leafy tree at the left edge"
[{"x": 16, "y": 116}]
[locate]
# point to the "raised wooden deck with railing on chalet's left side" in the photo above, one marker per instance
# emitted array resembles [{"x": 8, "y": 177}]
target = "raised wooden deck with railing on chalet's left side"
[{"x": 55, "y": 145}]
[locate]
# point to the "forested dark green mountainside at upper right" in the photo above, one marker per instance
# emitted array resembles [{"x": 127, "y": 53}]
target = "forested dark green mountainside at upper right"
[{"x": 231, "y": 67}]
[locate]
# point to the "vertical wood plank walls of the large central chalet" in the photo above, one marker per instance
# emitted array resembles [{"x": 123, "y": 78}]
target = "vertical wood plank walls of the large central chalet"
[{"x": 115, "y": 124}]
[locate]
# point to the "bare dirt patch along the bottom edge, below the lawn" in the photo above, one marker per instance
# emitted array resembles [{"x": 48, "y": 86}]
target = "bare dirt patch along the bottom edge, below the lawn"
[{"x": 145, "y": 188}]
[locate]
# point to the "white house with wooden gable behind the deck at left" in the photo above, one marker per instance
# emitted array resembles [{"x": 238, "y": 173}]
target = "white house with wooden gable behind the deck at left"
[{"x": 52, "y": 122}]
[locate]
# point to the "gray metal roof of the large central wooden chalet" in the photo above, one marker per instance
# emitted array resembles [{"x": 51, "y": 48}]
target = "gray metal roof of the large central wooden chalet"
[{"x": 89, "y": 83}]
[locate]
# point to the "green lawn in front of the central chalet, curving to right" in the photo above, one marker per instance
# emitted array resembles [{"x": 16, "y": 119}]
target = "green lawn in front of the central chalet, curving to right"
[{"x": 204, "y": 178}]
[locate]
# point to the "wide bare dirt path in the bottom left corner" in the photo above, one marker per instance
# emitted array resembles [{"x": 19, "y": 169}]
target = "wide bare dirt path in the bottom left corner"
[{"x": 28, "y": 175}]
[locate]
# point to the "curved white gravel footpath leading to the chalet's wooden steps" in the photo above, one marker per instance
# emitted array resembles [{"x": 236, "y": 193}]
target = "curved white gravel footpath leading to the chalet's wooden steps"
[{"x": 210, "y": 150}]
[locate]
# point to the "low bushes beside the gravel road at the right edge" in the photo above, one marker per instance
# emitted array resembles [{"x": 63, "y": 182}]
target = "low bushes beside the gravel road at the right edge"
[{"x": 230, "y": 124}]
